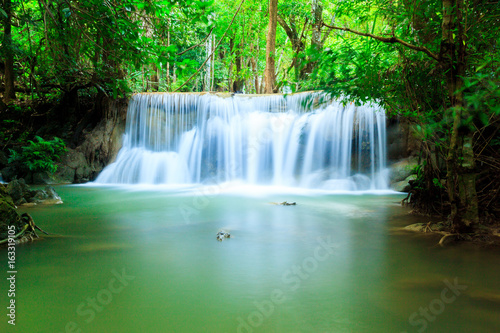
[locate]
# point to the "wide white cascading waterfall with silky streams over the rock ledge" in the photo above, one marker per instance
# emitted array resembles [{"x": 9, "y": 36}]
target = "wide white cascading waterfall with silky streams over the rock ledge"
[{"x": 277, "y": 140}]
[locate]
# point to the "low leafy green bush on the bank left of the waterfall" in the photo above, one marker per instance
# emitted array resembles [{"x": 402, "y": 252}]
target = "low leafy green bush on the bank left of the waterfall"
[{"x": 40, "y": 155}]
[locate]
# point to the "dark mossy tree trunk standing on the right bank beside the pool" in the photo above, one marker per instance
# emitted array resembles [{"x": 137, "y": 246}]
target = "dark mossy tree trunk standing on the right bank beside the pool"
[{"x": 461, "y": 176}]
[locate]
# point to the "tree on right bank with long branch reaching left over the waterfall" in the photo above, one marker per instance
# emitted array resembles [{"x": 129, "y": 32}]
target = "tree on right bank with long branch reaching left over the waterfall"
[{"x": 460, "y": 36}]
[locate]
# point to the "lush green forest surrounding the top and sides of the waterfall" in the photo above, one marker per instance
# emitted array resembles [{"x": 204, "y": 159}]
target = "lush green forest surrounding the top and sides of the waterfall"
[{"x": 432, "y": 64}]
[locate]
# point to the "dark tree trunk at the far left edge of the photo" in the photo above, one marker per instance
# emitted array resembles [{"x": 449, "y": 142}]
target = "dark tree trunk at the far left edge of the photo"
[{"x": 9, "y": 93}]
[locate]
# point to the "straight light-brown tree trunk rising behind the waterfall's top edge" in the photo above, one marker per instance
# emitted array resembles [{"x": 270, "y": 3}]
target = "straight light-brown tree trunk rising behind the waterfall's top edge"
[{"x": 270, "y": 80}]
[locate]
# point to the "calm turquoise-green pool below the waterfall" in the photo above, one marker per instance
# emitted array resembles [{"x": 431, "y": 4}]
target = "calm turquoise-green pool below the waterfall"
[{"x": 147, "y": 260}]
